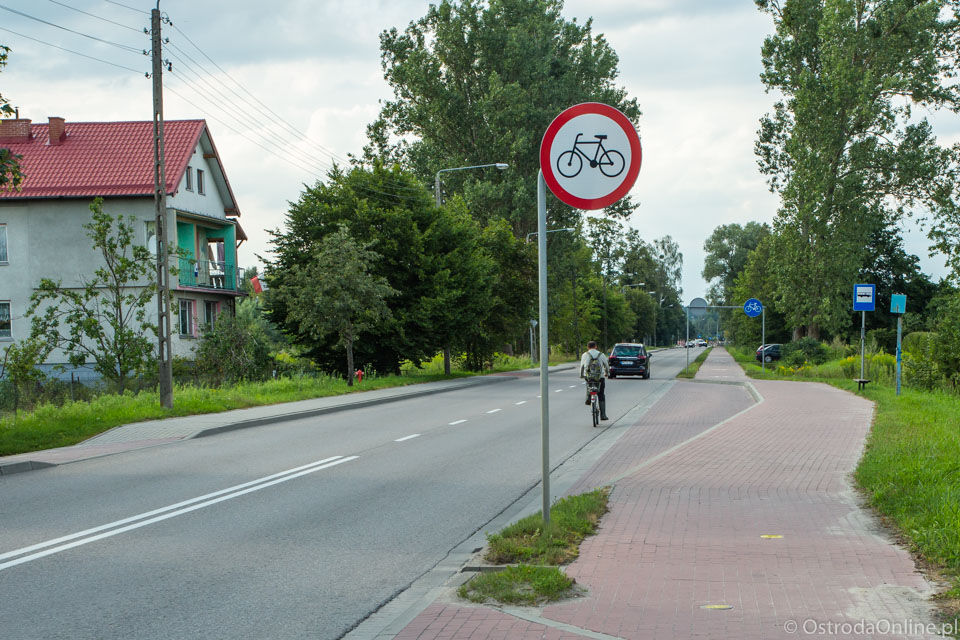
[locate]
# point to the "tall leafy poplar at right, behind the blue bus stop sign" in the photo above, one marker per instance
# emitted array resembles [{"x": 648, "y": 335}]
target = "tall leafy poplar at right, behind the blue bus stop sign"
[{"x": 844, "y": 148}]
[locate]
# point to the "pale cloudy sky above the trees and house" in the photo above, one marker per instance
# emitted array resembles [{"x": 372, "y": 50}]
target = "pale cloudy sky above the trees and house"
[{"x": 295, "y": 82}]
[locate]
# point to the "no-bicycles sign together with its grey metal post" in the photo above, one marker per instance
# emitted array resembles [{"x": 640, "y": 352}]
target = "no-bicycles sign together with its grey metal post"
[{"x": 589, "y": 158}]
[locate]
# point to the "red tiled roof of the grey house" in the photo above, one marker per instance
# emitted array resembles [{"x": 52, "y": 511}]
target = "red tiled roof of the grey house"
[{"x": 101, "y": 159}]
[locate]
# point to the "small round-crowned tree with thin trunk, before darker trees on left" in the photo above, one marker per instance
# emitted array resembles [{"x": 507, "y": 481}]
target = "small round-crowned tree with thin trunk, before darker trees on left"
[{"x": 337, "y": 293}]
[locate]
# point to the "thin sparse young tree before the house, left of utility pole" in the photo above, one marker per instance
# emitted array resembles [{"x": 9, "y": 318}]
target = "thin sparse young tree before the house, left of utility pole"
[{"x": 105, "y": 319}]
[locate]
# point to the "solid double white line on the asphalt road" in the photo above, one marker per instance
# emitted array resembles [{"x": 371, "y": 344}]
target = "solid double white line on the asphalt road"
[{"x": 262, "y": 483}]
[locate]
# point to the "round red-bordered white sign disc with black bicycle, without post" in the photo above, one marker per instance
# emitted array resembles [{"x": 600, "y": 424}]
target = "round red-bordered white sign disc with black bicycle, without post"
[{"x": 590, "y": 156}]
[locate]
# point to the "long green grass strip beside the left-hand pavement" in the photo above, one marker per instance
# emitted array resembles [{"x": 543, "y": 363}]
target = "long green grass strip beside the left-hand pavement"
[{"x": 49, "y": 426}]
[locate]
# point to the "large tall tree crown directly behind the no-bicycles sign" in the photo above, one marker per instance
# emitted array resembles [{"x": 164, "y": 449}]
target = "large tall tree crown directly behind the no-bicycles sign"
[{"x": 479, "y": 81}]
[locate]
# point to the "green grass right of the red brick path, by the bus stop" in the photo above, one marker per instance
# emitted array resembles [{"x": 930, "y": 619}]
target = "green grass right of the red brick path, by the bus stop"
[{"x": 910, "y": 469}]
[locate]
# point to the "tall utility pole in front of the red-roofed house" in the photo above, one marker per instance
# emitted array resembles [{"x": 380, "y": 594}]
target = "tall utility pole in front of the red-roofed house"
[{"x": 164, "y": 355}]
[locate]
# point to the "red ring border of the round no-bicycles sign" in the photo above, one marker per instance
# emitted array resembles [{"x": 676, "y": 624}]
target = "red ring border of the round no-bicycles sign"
[{"x": 550, "y": 177}]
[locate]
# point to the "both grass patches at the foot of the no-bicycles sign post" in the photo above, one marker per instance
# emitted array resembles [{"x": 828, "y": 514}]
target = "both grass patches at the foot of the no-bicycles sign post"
[{"x": 531, "y": 545}]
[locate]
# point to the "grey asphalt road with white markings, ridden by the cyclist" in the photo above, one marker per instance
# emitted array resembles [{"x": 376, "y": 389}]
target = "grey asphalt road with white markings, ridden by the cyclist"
[{"x": 293, "y": 530}]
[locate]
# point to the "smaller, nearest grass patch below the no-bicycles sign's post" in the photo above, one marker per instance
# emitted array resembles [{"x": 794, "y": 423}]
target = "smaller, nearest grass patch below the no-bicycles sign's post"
[{"x": 523, "y": 585}]
